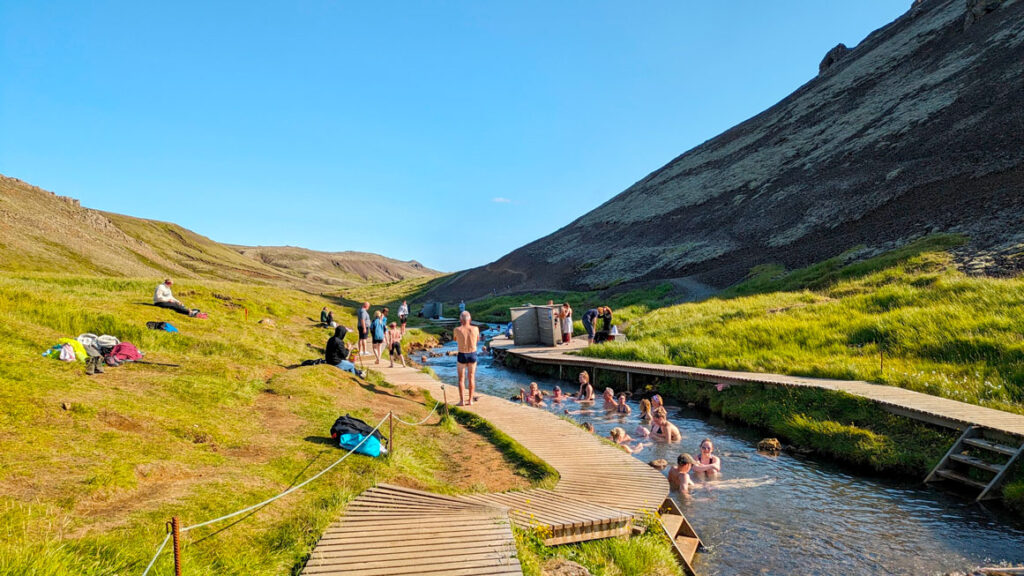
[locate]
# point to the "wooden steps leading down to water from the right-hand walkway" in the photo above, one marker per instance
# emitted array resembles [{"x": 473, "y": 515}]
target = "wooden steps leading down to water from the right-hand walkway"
[{"x": 964, "y": 456}]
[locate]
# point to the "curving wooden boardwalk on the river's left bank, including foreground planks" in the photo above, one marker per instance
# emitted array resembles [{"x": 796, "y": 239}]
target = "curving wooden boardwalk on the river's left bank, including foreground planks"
[{"x": 396, "y": 531}]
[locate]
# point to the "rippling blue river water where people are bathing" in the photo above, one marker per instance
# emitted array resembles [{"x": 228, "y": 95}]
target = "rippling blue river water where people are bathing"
[{"x": 795, "y": 515}]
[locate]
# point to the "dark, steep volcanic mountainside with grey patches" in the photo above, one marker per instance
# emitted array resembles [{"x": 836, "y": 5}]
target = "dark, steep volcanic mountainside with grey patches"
[{"x": 919, "y": 130}]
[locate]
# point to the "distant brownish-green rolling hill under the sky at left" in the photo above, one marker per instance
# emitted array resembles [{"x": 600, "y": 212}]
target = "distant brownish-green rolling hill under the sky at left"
[{"x": 44, "y": 232}]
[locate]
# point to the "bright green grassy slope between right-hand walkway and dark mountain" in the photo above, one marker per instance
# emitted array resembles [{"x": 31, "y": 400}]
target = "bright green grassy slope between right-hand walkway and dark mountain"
[{"x": 941, "y": 332}]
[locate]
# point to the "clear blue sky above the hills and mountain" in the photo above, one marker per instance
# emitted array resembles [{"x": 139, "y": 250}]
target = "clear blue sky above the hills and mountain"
[{"x": 385, "y": 127}]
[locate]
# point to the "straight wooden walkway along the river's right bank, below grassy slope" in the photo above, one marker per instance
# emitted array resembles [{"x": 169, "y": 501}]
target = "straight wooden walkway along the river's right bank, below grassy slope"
[{"x": 932, "y": 409}]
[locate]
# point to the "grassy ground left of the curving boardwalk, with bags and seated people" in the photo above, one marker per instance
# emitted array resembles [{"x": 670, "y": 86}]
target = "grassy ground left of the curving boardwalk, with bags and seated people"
[{"x": 88, "y": 490}]
